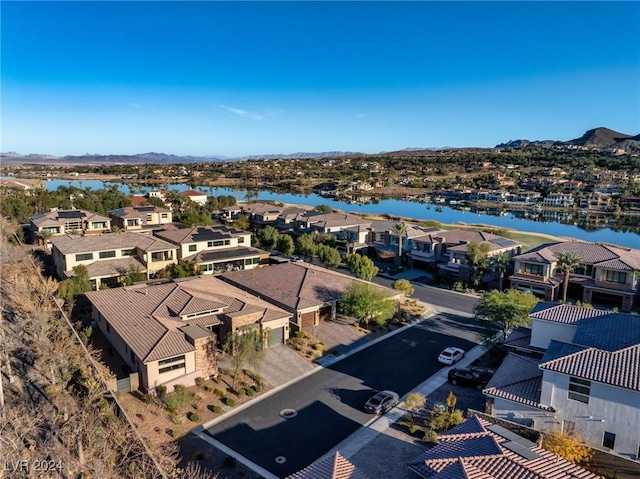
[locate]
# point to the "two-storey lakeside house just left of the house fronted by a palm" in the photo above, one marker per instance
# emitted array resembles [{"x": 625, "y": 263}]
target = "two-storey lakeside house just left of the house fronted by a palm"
[{"x": 446, "y": 251}]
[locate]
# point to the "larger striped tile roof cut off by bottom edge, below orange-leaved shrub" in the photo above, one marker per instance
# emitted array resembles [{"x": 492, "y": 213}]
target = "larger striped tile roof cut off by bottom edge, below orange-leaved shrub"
[{"x": 484, "y": 454}]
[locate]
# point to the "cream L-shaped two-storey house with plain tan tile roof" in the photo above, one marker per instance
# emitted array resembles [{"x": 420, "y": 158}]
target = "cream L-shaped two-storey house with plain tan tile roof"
[{"x": 109, "y": 256}]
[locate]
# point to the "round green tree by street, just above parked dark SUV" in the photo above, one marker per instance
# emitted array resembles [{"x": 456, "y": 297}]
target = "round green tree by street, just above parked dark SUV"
[{"x": 506, "y": 309}]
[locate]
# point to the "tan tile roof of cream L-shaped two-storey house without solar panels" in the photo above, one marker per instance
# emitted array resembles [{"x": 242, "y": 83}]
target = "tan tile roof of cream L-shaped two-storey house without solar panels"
[{"x": 67, "y": 244}]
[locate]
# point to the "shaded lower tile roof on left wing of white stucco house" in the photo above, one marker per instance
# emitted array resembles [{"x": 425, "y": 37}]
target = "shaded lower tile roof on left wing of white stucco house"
[{"x": 519, "y": 380}]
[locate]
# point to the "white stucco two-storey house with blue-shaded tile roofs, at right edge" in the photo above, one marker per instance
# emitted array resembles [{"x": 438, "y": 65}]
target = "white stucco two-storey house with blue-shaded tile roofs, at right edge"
[{"x": 586, "y": 381}]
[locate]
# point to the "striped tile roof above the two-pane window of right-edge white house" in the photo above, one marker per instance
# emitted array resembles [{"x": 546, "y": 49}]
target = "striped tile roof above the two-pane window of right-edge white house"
[{"x": 619, "y": 368}]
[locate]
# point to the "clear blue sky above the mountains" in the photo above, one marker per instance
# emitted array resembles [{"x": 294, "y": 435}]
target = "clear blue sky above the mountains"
[{"x": 244, "y": 78}]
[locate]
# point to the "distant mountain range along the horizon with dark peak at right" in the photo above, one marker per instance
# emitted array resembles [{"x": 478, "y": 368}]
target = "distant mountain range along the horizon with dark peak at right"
[{"x": 598, "y": 137}]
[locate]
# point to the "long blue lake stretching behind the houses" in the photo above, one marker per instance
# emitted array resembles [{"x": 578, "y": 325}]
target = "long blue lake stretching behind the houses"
[{"x": 420, "y": 211}]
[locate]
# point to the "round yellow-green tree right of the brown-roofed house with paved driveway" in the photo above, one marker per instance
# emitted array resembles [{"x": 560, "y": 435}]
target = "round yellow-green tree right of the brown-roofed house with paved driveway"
[{"x": 367, "y": 302}]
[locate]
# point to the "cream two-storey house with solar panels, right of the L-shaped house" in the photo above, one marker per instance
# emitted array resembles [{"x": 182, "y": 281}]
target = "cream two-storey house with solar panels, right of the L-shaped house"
[{"x": 215, "y": 249}]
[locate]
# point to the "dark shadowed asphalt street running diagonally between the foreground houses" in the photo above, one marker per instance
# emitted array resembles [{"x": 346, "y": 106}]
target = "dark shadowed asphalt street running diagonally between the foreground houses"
[{"x": 329, "y": 402}]
